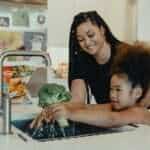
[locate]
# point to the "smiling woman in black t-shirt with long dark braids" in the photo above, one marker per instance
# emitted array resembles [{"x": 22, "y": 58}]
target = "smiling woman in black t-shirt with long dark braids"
[{"x": 92, "y": 49}]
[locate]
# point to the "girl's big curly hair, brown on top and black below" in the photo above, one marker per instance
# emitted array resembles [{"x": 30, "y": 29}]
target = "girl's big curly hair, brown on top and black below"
[{"x": 133, "y": 61}]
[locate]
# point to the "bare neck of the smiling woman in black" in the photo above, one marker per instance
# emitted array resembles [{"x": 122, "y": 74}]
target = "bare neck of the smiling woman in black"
[{"x": 104, "y": 54}]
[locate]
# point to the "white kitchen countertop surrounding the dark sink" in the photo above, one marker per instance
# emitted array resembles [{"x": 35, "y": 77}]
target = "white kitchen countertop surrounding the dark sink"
[{"x": 134, "y": 139}]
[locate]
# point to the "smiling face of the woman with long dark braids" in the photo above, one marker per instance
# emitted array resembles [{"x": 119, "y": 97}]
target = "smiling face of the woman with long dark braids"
[{"x": 90, "y": 37}]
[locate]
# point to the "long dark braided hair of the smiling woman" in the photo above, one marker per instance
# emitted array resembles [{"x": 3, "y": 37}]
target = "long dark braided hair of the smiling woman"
[{"x": 80, "y": 18}]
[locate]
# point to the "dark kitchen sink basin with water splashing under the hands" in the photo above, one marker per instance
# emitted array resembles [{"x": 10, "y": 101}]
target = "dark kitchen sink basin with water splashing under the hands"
[{"x": 54, "y": 131}]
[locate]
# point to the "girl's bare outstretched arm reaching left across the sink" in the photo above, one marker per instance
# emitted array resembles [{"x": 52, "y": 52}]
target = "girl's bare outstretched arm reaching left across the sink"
[{"x": 110, "y": 118}]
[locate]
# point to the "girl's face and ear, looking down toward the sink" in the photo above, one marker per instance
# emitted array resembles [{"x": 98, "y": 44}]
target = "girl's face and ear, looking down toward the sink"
[{"x": 122, "y": 94}]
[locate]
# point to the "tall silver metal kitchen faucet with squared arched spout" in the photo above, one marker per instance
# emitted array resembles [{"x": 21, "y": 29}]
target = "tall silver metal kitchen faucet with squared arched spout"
[{"x": 5, "y": 100}]
